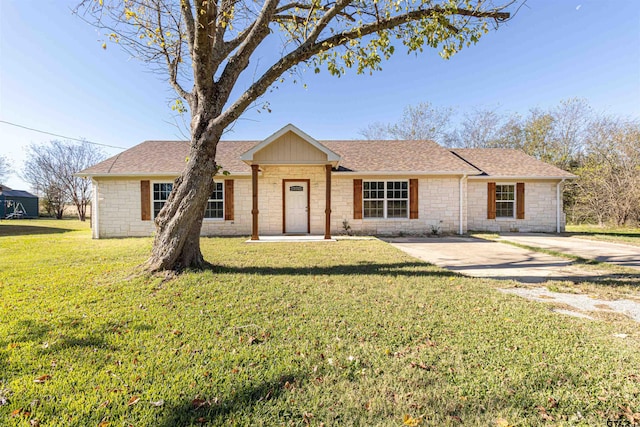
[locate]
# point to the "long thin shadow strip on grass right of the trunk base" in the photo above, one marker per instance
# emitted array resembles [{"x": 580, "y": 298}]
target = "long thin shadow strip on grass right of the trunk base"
[{"x": 412, "y": 269}]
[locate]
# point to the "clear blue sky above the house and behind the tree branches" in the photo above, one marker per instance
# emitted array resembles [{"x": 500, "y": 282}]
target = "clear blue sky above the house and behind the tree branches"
[{"x": 55, "y": 76}]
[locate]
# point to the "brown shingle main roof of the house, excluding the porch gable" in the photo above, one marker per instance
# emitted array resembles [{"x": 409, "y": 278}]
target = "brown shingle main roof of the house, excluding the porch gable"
[{"x": 169, "y": 158}]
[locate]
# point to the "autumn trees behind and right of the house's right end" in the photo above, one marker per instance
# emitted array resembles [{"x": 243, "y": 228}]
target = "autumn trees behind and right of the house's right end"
[{"x": 602, "y": 150}]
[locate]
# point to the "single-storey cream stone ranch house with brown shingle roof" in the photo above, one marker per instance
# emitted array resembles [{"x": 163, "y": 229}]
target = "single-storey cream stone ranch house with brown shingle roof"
[{"x": 290, "y": 183}]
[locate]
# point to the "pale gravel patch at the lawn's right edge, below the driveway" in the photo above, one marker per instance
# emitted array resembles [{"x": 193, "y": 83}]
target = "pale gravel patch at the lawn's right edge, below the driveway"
[{"x": 580, "y": 302}]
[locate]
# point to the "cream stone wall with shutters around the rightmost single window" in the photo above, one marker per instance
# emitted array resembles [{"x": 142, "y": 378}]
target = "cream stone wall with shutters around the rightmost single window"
[{"x": 537, "y": 213}]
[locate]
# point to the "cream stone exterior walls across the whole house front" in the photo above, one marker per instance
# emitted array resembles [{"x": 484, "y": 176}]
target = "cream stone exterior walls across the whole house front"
[{"x": 118, "y": 206}]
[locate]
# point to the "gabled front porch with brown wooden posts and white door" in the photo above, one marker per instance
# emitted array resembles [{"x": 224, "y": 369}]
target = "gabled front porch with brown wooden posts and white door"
[{"x": 291, "y": 186}]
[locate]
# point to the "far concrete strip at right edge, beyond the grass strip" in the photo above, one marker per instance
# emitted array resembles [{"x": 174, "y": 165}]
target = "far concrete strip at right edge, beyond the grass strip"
[{"x": 614, "y": 253}]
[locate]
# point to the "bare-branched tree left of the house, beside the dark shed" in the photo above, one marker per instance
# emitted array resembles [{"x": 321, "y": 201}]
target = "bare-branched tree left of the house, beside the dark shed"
[{"x": 50, "y": 169}]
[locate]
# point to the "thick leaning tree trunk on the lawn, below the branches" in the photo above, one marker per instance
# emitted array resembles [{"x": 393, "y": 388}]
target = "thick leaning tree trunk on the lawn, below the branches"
[{"x": 177, "y": 242}]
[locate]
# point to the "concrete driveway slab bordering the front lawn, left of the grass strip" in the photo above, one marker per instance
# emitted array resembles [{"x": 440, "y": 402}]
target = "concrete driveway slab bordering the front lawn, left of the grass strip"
[{"x": 482, "y": 258}]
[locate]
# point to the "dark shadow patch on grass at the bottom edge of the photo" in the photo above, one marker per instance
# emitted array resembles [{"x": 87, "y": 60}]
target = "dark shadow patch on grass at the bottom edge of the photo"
[{"x": 201, "y": 411}]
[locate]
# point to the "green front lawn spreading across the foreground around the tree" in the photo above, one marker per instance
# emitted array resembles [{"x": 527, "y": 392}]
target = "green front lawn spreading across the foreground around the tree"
[{"x": 345, "y": 333}]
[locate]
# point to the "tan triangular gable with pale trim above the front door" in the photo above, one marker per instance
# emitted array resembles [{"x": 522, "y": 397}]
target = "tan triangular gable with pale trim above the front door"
[{"x": 290, "y": 145}]
